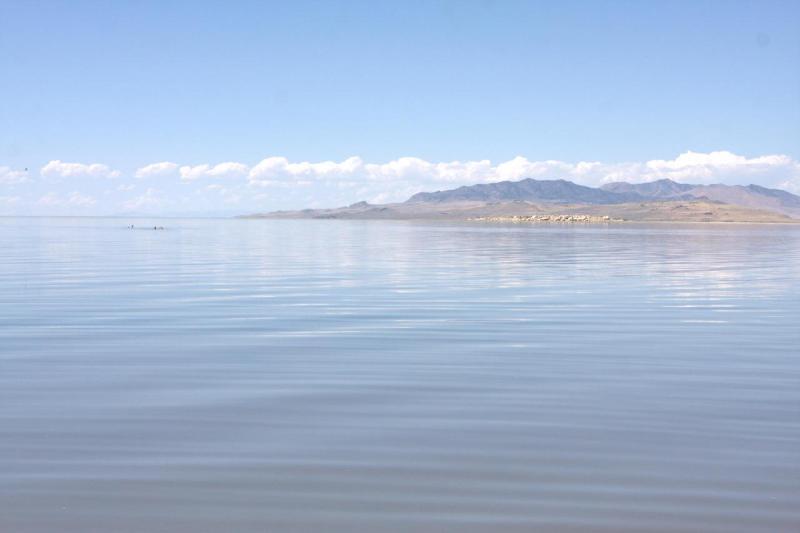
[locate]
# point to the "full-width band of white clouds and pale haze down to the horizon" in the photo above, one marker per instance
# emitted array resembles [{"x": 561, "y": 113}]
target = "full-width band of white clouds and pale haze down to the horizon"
[{"x": 279, "y": 183}]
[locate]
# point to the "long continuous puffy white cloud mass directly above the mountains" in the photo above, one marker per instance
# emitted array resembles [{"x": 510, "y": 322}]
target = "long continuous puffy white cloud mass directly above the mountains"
[{"x": 397, "y": 179}]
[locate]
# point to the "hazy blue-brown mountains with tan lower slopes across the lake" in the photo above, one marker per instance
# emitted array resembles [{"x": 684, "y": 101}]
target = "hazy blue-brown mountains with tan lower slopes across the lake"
[{"x": 662, "y": 200}]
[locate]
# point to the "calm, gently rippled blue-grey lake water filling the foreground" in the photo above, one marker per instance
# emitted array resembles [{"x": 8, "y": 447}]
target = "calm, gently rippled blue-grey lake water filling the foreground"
[{"x": 349, "y": 376}]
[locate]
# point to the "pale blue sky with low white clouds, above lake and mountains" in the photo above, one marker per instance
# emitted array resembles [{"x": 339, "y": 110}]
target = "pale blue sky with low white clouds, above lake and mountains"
[{"x": 220, "y": 108}]
